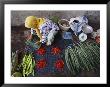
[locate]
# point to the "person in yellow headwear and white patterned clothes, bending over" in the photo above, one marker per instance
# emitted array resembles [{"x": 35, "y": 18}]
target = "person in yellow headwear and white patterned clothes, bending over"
[{"x": 43, "y": 27}]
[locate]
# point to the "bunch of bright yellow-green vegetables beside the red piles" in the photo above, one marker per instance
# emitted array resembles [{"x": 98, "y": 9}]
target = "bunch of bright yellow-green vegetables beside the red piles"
[{"x": 28, "y": 65}]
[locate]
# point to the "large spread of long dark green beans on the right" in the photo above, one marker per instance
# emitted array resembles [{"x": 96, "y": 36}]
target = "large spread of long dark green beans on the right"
[{"x": 84, "y": 56}]
